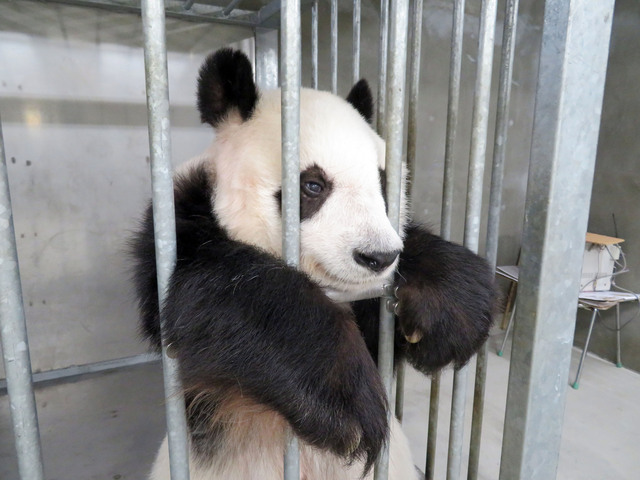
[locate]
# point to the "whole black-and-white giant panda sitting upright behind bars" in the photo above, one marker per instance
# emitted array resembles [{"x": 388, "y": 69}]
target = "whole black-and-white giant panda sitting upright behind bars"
[{"x": 264, "y": 347}]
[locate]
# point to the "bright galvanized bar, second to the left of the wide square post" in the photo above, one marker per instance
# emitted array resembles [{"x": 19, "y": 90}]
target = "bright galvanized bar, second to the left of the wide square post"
[{"x": 480, "y": 120}]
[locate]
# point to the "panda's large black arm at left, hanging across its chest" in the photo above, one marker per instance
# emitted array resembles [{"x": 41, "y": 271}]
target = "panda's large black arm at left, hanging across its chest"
[{"x": 240, "y": 318}]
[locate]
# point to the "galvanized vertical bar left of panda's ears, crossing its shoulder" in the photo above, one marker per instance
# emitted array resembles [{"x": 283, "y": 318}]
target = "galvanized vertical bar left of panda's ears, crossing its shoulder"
[{"x": 155, "y": 61}]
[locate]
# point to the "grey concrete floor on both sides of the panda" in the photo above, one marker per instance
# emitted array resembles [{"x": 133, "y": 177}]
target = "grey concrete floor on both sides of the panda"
[{"x": 108, "y": 427}]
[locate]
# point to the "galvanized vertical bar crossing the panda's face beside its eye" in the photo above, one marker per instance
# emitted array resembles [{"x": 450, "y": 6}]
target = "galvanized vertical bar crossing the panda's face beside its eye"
[{"x": 290, "y": 62}]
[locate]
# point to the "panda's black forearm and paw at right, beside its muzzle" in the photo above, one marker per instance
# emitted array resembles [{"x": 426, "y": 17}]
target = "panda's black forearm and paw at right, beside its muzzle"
[{"x": 446, "y": 298}]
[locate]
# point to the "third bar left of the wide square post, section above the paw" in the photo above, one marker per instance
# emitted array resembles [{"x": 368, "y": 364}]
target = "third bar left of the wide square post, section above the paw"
[{"x": 455, "y": 69}]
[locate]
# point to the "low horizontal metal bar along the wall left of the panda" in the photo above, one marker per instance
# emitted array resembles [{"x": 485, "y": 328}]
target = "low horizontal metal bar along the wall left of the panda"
[{"x": 76, "y": 372}]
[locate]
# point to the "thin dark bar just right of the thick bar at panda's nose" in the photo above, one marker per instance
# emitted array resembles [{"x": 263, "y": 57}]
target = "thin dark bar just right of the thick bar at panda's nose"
[{"x": 415, "y": 27}]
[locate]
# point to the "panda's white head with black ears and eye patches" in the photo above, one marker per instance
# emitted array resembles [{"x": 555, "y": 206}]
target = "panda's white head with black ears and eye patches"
[{"x": 347, "y": 242}]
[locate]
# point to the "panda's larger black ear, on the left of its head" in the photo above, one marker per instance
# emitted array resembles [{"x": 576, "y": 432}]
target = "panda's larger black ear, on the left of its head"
[{"x": 226, "y": 82}]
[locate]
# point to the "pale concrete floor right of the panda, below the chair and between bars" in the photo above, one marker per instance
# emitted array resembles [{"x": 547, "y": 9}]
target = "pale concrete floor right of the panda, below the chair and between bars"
[{"x": 601, "y": 436}]
